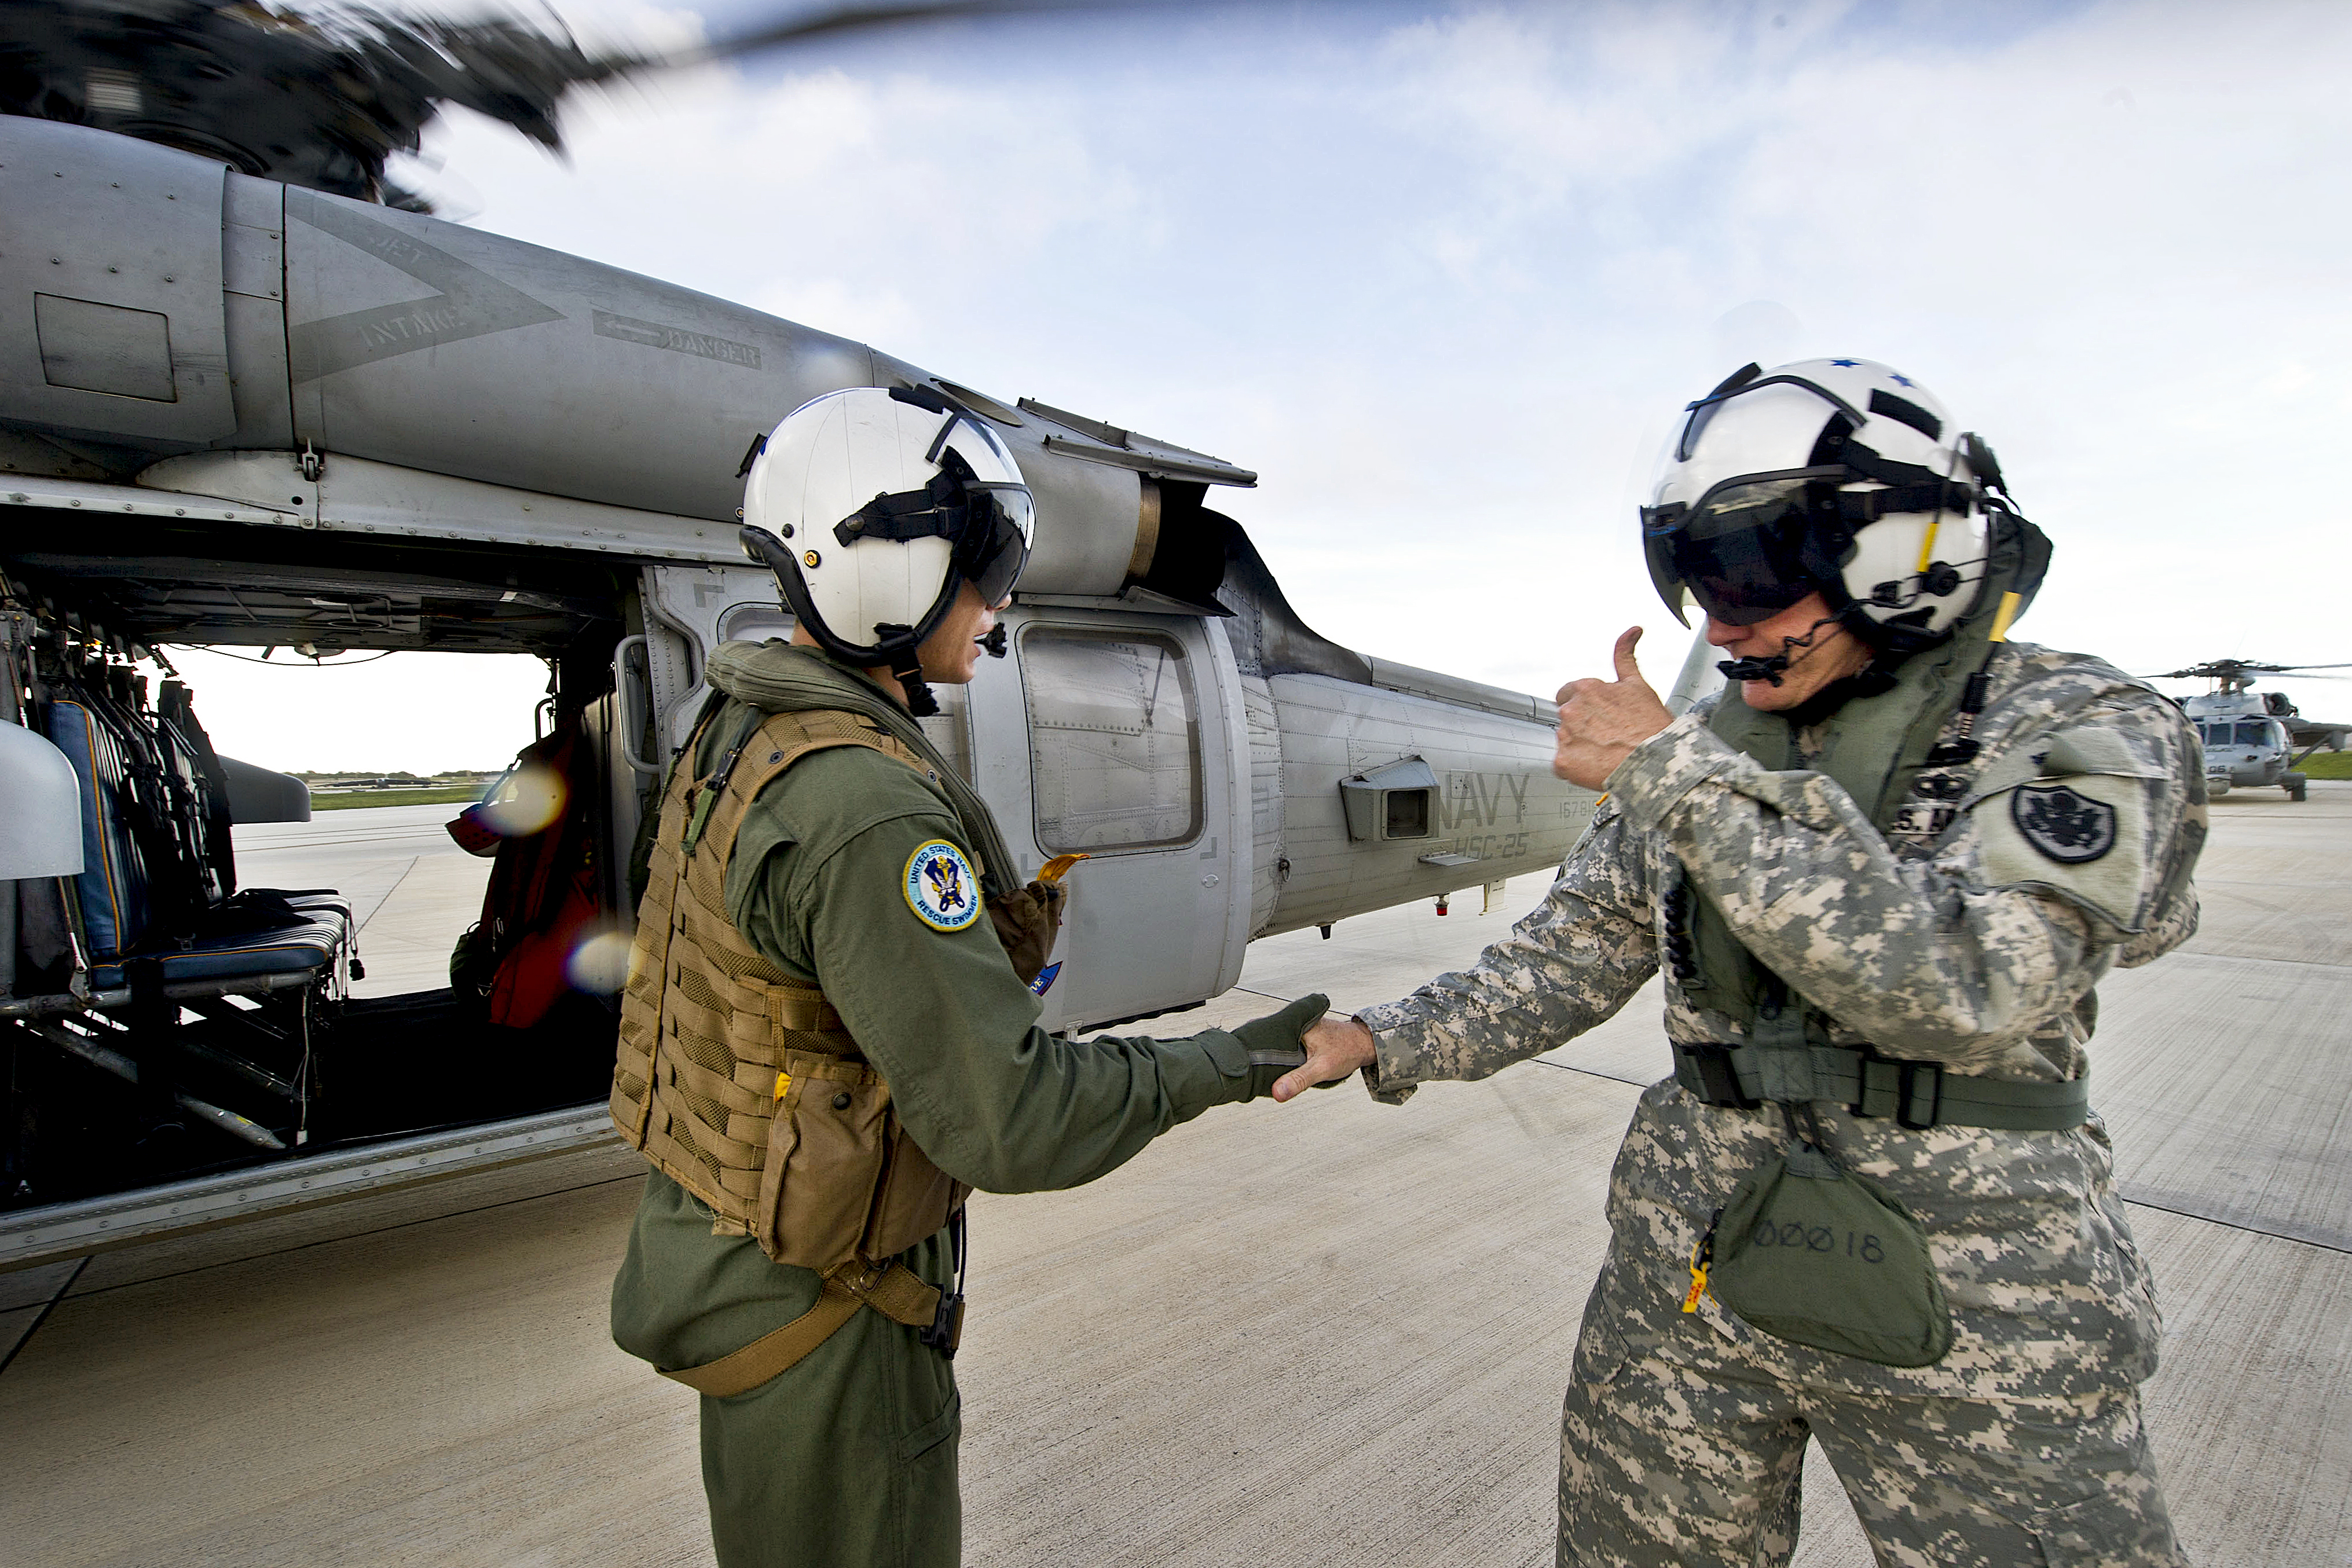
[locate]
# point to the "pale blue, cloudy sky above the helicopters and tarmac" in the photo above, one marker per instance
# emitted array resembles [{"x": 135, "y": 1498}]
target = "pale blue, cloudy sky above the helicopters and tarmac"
[{"x": 1448, "y": 274}]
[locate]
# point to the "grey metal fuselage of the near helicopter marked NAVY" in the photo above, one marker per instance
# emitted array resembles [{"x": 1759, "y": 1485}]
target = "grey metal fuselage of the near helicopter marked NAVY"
[{"x": 248, "y": 415}]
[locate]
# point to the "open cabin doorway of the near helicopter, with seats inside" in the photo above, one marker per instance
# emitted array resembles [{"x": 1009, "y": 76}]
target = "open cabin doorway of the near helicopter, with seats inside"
[{"x": 236, "y": 991}]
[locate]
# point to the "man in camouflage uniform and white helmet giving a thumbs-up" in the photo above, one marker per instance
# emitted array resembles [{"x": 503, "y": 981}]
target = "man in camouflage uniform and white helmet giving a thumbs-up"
[{"x": 1918, "y": 847}]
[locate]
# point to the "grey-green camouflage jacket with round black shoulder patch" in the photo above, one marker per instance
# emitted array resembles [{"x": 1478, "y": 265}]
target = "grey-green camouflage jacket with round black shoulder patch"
[{"x": 1967, "y": 937}]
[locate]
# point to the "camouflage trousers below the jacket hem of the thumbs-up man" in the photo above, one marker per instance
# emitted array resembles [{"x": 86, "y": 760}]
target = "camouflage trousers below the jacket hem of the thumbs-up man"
[{"x": 1676, "y": 1466}]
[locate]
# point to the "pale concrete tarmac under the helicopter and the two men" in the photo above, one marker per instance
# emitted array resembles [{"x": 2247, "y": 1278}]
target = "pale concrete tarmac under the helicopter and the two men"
[{"x": 1316, "y": 1334}]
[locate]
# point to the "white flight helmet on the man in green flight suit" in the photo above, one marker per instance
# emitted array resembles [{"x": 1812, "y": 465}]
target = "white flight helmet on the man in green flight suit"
[{"x": 874, "y": 507}]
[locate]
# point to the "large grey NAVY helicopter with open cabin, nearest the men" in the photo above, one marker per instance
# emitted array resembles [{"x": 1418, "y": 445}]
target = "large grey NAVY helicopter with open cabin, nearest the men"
[{"x": 255, "y": 398}]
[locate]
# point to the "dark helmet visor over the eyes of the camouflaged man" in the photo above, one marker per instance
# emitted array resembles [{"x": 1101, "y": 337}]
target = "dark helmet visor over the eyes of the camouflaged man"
[{"x": 1739, "y": 549}]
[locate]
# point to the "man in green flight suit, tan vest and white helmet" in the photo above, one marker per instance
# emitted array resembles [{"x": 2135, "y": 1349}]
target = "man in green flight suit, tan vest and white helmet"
[{"x": 829, "y": 1036}]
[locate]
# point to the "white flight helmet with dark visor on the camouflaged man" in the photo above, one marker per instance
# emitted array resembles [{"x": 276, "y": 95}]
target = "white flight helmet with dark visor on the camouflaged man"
[{"x": 1826, "y": 474}]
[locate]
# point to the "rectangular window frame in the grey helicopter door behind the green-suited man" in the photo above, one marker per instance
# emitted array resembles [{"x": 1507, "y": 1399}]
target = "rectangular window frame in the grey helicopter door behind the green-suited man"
[{"x": 1053, "y": 749}]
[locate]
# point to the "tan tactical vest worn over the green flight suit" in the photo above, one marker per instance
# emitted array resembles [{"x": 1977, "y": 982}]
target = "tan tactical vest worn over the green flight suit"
[{"x": 733, "y": 1078}]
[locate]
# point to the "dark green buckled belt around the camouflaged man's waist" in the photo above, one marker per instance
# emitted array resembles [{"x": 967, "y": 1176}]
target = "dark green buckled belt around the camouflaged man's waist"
[{"x": 1869, "y": 1085}]
